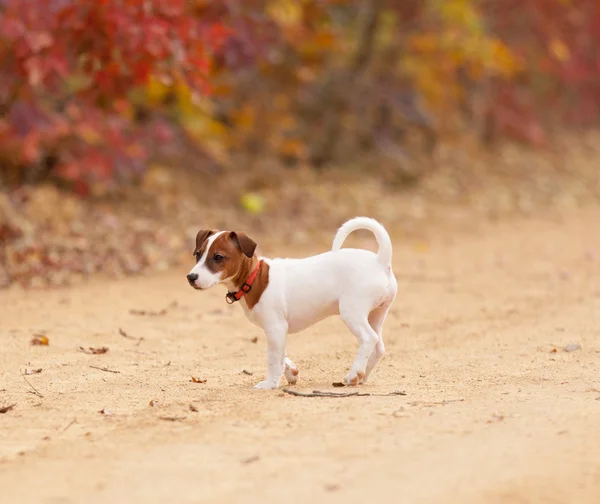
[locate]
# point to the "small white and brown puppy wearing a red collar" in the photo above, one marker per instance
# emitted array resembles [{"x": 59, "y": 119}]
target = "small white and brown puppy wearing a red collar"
[{"x": 284, "y": 296}]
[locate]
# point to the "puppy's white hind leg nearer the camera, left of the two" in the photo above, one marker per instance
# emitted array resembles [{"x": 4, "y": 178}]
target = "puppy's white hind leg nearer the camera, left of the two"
[{"x": 357, "y": 321}]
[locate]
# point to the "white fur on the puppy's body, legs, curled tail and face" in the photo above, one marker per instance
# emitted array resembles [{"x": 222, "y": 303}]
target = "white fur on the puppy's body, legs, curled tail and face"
[{"x": 356, "y": 284}]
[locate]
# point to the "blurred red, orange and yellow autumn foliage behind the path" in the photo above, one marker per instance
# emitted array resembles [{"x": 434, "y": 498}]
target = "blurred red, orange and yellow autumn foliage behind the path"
[{"x": 89, "y": 89}]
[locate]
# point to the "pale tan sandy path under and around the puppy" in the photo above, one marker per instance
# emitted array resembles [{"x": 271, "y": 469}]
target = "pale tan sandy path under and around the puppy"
[{"x": 495, "y": 410}]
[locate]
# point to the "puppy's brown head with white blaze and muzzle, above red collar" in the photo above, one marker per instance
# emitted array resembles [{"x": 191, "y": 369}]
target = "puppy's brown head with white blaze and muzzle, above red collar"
[{"x": 220, "y": 256}]
